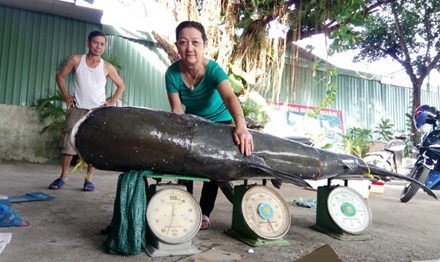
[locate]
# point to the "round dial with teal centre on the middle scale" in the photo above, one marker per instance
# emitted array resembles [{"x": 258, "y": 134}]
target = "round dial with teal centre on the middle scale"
[{"x": 265, "y": 212}]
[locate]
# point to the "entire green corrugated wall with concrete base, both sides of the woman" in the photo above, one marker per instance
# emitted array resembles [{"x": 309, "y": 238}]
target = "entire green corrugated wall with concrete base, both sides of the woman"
[{"x": 33, "y": 46}]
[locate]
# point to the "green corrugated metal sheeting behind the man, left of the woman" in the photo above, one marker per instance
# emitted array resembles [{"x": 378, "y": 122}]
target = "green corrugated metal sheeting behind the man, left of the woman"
[{"x": 35, "y": 44}]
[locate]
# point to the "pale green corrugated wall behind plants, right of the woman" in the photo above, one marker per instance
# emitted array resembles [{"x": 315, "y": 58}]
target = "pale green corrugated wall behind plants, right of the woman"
[{"x": 363, "y": 100}]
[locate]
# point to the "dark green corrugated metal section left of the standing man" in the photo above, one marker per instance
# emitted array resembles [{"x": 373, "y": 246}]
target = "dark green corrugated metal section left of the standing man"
[{"x": 33, "y": 45}]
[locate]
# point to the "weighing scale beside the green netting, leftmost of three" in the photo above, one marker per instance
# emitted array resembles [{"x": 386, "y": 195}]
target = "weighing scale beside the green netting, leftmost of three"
[{"x": 173, "y": 218}]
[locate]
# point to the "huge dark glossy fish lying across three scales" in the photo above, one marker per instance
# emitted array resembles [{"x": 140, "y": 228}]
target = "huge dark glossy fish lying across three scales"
[{"x": 134, "y": 138}]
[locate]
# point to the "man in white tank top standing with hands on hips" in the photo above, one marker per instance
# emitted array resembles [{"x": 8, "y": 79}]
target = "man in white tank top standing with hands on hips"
[{"x": 90, "y": 73}]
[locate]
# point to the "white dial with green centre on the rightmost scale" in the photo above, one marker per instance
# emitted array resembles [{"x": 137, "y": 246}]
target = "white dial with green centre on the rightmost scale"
[{"x": 349, "y": 210}]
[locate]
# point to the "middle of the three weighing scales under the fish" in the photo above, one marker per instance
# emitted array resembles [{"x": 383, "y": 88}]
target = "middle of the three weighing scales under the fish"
[{"x": 260, "y": 216}]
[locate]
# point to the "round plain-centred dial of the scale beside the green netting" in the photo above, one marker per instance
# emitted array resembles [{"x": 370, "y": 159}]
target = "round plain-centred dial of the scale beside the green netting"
[{"x": 173, "y": 215}]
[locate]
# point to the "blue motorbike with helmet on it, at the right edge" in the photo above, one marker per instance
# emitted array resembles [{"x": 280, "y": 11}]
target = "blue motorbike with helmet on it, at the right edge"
[{"x": 427, "y": 166}]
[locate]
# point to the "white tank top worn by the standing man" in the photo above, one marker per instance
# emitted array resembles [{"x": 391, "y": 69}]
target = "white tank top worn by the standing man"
[{"x": 89, "y": 85}]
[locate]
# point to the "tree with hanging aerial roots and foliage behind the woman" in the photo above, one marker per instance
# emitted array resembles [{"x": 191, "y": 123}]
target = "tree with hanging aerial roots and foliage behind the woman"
[{"x": 251, "y": 57}]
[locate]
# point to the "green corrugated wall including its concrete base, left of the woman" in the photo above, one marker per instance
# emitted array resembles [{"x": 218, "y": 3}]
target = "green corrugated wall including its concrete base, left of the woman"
[{"x": 33, "y": 46}]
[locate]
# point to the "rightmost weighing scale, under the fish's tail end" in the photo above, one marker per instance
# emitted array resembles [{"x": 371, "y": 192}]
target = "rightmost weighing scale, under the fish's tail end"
[{"x": 342, "y": 213}]
